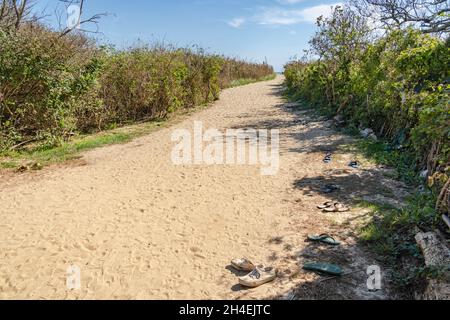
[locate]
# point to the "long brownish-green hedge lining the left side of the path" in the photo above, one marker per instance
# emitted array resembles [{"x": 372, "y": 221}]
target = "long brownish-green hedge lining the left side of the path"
[{"x": 52, "y": 87}]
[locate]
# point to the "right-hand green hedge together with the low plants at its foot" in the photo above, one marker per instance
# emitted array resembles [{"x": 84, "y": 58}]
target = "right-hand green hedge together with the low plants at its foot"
[{"x": 397, "y": 85}]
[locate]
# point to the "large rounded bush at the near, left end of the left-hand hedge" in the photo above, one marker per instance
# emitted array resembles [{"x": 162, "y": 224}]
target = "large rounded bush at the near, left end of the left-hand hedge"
[{"x": 42, "y": 78}]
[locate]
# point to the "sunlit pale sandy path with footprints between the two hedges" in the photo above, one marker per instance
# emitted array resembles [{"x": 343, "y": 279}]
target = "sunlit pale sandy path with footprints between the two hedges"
[{"x": 141, "y": 228}]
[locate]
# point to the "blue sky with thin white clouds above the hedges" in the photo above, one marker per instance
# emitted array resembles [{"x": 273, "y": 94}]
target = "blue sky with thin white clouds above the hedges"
[{"x": 250, "y": 29}]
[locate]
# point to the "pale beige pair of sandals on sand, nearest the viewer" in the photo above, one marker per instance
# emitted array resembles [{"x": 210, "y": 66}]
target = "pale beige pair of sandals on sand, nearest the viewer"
[{"x": 258, "y": 274}]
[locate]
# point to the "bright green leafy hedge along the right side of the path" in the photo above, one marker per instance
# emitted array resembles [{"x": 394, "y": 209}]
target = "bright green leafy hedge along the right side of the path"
[{"x": 397, "y": 85}]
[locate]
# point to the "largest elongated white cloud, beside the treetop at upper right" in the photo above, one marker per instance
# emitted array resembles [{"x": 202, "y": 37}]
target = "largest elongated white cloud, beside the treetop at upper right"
[{"x": 281, "y": 16}]
